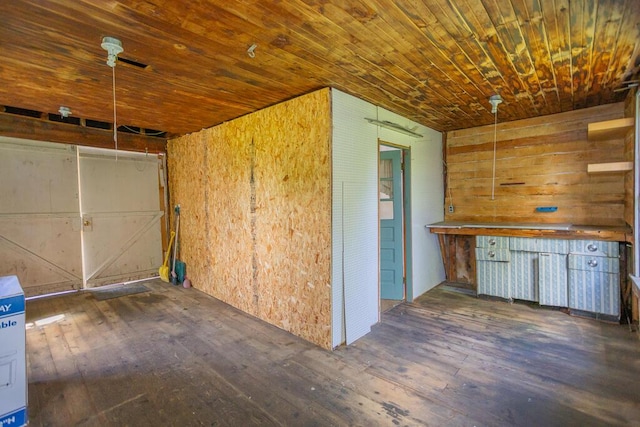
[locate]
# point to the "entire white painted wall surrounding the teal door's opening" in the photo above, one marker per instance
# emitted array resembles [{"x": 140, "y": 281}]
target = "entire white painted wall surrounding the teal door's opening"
[{"x": 355, "y": 228}]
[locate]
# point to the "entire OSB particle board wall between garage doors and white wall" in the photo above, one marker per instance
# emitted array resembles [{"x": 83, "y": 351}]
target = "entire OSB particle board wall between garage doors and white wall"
[{"x": 255, "y": 196}]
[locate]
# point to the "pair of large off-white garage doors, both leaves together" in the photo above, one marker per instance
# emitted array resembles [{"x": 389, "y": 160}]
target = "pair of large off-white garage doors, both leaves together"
[{"x": 75, "y": 216}]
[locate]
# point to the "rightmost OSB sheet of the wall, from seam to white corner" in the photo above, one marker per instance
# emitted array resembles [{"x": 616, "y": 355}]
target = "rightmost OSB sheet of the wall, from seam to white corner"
[{"x": 293, "y": 224}]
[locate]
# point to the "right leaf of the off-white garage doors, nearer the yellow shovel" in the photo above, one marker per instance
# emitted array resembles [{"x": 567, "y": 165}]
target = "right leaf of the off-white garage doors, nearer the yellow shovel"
[{"x": 120, "y": 209}]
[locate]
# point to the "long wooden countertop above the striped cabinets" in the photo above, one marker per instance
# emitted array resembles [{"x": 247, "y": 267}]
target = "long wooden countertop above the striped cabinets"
[{"x": 556, "y": 231}]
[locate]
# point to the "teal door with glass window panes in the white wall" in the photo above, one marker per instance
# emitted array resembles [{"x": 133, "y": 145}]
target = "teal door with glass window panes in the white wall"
[{"x": 391, "y": 257}]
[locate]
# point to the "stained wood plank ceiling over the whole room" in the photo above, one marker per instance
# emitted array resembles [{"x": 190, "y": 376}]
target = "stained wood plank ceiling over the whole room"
[{"x": 434, "y": 61}]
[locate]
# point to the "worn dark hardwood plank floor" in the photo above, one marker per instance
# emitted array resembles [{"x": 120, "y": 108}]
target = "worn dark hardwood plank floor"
[{"x": 175, "y": 356}]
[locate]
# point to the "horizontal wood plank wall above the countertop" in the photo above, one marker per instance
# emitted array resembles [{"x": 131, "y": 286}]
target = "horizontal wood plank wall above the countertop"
[{"x": 539, "y": 162}]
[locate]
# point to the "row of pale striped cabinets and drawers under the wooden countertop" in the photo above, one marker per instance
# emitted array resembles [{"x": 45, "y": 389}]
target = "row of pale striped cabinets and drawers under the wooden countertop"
[{"x": 579, "y": 274}]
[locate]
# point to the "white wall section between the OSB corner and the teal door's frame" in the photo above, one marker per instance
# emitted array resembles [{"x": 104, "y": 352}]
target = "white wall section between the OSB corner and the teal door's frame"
[{"x": 354, "y": 219}]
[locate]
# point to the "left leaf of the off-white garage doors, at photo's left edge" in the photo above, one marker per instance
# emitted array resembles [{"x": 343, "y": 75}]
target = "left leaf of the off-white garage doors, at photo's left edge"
[{"x": 39, "y": 216}]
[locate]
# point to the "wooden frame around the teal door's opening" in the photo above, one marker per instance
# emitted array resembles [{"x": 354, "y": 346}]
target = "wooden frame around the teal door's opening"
[{"x": 406, "y": 217}]
